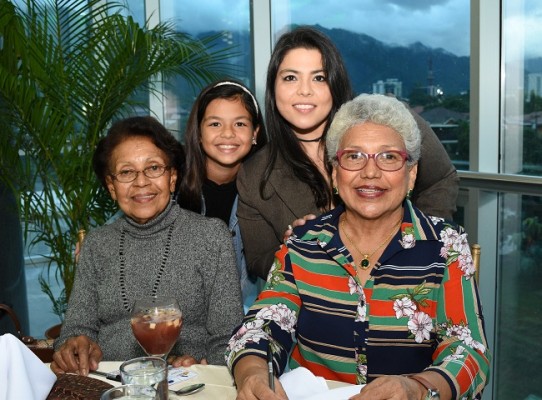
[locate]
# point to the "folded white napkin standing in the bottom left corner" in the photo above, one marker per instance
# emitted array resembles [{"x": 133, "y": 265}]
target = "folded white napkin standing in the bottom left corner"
[{"x": 22, "y": 374}]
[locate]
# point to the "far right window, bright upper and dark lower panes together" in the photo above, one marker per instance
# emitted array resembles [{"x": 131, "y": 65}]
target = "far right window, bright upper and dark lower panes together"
[{"x": 518, "y": 351}]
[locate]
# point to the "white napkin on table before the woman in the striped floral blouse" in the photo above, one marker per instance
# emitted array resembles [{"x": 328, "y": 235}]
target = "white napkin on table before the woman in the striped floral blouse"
[{"x": 302, "y": 384}]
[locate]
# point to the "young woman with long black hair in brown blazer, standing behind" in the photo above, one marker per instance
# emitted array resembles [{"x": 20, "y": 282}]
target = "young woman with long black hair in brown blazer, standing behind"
[{"x": 307, "y": 82}]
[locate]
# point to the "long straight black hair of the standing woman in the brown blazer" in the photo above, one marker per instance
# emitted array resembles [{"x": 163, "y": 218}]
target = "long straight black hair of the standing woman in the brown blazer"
[{"x": 282, "y": 138}]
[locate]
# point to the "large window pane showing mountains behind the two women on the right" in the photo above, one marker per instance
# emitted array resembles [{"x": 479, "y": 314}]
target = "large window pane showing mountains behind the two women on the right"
[{"x": 419, "y": 51}]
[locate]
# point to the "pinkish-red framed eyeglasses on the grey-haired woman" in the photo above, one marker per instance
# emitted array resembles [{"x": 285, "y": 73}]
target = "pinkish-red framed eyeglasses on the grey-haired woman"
[{"x": 354, "y": 160}]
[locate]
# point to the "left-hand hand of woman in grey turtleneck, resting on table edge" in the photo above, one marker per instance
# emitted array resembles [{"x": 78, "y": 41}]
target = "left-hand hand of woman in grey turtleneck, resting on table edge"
[{"x": 78, "y": 354}]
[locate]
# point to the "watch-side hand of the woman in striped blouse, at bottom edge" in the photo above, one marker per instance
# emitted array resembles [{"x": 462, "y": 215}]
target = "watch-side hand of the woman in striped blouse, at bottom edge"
[{"x": 392, "y": 387}]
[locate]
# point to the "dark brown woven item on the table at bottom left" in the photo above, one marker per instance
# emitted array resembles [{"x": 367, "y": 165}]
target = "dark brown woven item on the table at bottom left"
[{"x": 77, "y": 387}]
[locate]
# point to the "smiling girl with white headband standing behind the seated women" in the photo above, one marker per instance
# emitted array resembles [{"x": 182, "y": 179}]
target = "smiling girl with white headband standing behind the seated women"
[{"x": 224, "y": 129}]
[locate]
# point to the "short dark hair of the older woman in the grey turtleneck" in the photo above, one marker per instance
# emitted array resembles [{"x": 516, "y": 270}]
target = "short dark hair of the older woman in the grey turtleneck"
[{"x": 140, "y": 126}]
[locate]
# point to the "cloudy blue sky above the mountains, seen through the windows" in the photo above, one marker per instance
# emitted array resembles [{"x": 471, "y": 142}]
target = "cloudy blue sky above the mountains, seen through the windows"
[{"x": 435, "y": 23}]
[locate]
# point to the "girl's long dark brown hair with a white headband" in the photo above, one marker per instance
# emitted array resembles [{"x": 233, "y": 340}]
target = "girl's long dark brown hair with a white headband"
[{"x": 190, "y": 191}]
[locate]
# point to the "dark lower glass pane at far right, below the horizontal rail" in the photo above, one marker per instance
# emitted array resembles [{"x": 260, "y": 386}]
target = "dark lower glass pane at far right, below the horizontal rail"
[{"x": 518, "y": 346}]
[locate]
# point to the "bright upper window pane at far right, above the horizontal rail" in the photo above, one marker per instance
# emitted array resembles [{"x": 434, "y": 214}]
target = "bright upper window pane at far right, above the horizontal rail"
[{"x": 522, "y": 105}]
